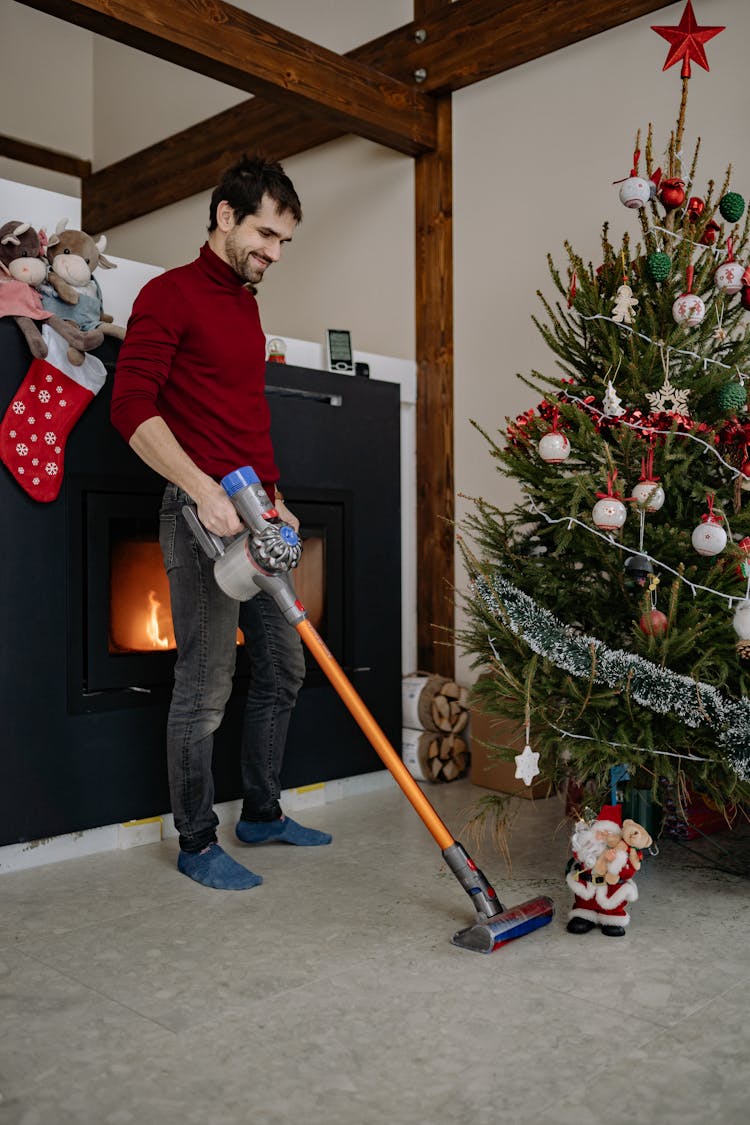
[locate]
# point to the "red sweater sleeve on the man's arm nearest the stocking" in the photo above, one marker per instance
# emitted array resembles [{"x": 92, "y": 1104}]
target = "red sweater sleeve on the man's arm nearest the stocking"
[{"x": 146, "y": 358}]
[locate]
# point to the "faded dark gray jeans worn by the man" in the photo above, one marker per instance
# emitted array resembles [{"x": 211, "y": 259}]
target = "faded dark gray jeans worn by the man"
[{"x": 205, "y": 628}]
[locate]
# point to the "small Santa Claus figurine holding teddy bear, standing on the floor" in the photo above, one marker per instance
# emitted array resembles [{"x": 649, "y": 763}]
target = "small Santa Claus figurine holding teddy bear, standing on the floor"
[{"x": 606, "y": 859}]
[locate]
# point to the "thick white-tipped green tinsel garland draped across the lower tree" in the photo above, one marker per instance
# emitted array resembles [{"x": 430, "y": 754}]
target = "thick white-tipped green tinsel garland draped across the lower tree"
[{"x": 694, "y": 703}]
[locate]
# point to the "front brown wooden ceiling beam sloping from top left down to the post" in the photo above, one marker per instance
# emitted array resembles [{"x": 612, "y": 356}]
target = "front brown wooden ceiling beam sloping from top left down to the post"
[{"x": 232, "y": 47}]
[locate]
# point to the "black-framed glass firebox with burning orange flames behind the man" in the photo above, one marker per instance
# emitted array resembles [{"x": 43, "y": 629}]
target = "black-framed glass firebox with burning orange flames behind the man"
[{"x": 124, "y": 644}]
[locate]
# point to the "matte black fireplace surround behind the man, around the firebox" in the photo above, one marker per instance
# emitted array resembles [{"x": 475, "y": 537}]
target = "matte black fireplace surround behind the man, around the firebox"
[{"x": 83, "y": 727}]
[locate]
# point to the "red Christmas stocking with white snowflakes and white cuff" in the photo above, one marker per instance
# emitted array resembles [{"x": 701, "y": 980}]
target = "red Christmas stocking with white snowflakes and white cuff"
[{"x": 41, "y": 416}]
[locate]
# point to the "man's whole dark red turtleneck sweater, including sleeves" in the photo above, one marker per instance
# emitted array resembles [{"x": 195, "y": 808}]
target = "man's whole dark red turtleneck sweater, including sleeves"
[{"x": 195, "y": 355}]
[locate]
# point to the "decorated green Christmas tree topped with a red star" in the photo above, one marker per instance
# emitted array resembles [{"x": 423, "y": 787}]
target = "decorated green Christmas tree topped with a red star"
[{"x": 606, "y": 606}]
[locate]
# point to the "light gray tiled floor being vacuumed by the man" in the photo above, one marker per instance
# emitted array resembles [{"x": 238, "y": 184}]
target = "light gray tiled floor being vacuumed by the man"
[{"x": 332, "y": 995}]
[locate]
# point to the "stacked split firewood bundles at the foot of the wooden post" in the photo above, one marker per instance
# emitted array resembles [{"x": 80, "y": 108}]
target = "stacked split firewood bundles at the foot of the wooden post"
[{"x": 436, "y": 710}]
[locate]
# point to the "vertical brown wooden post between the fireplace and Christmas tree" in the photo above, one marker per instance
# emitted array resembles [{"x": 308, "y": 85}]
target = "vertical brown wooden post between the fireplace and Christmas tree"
[{"x": 435, "y": 352}]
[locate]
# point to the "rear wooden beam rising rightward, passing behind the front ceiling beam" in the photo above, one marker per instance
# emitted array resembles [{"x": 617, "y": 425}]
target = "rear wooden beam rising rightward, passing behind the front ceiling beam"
[{"x": 466, "y": 41}]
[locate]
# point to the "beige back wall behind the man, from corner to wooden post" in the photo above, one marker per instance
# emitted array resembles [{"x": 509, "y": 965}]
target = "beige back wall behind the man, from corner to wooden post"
[{"x": 353, "y": 260}]
